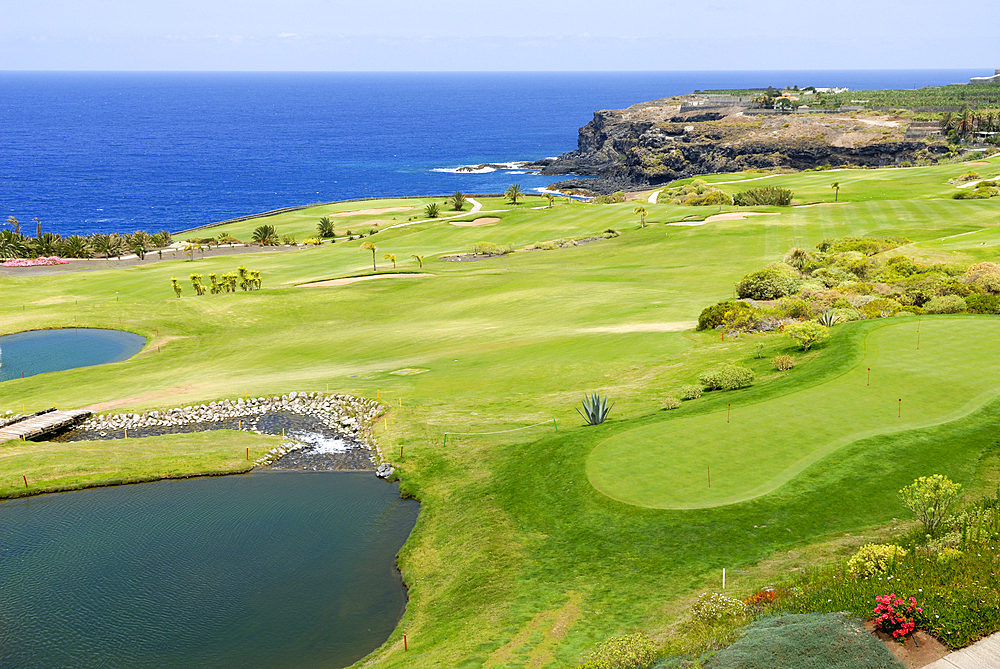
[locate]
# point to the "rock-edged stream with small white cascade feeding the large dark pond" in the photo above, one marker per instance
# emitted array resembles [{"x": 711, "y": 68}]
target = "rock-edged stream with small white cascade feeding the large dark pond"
[{"x": 323, "y": 432}]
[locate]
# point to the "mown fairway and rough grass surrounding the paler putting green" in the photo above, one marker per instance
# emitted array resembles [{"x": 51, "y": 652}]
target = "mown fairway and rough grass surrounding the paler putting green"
[{"x": 516, "y": 557}]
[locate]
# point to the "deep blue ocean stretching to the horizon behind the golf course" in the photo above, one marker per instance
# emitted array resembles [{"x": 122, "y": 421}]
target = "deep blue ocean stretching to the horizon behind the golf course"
[{"x": 103, "y": 152}]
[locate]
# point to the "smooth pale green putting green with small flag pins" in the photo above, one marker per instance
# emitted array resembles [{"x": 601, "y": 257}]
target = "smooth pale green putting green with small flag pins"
[{"x": 666, "y": 465}]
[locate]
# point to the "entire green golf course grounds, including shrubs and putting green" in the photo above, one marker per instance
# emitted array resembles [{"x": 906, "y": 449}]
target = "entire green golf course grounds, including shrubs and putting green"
[{"x": 554, "y": 548}]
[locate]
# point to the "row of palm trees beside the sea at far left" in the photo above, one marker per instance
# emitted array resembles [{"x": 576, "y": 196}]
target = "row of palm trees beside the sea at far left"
[{"x": 14, "y": 244}]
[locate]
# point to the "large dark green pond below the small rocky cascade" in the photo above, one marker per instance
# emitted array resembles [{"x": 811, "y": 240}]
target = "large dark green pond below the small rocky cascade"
[{"x": 268, "y": 569}]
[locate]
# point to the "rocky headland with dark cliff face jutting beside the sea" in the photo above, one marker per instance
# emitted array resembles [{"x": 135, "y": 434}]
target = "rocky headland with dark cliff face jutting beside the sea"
[{"x": 625, "y": 152}]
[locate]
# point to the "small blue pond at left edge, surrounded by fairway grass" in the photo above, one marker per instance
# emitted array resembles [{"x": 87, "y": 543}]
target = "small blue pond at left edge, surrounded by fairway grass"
[{"x": 41, "y": 351}]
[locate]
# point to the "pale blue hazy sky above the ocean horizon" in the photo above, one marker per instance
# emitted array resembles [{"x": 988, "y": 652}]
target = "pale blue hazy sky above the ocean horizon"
[{"x": 483, "y": 35}]
